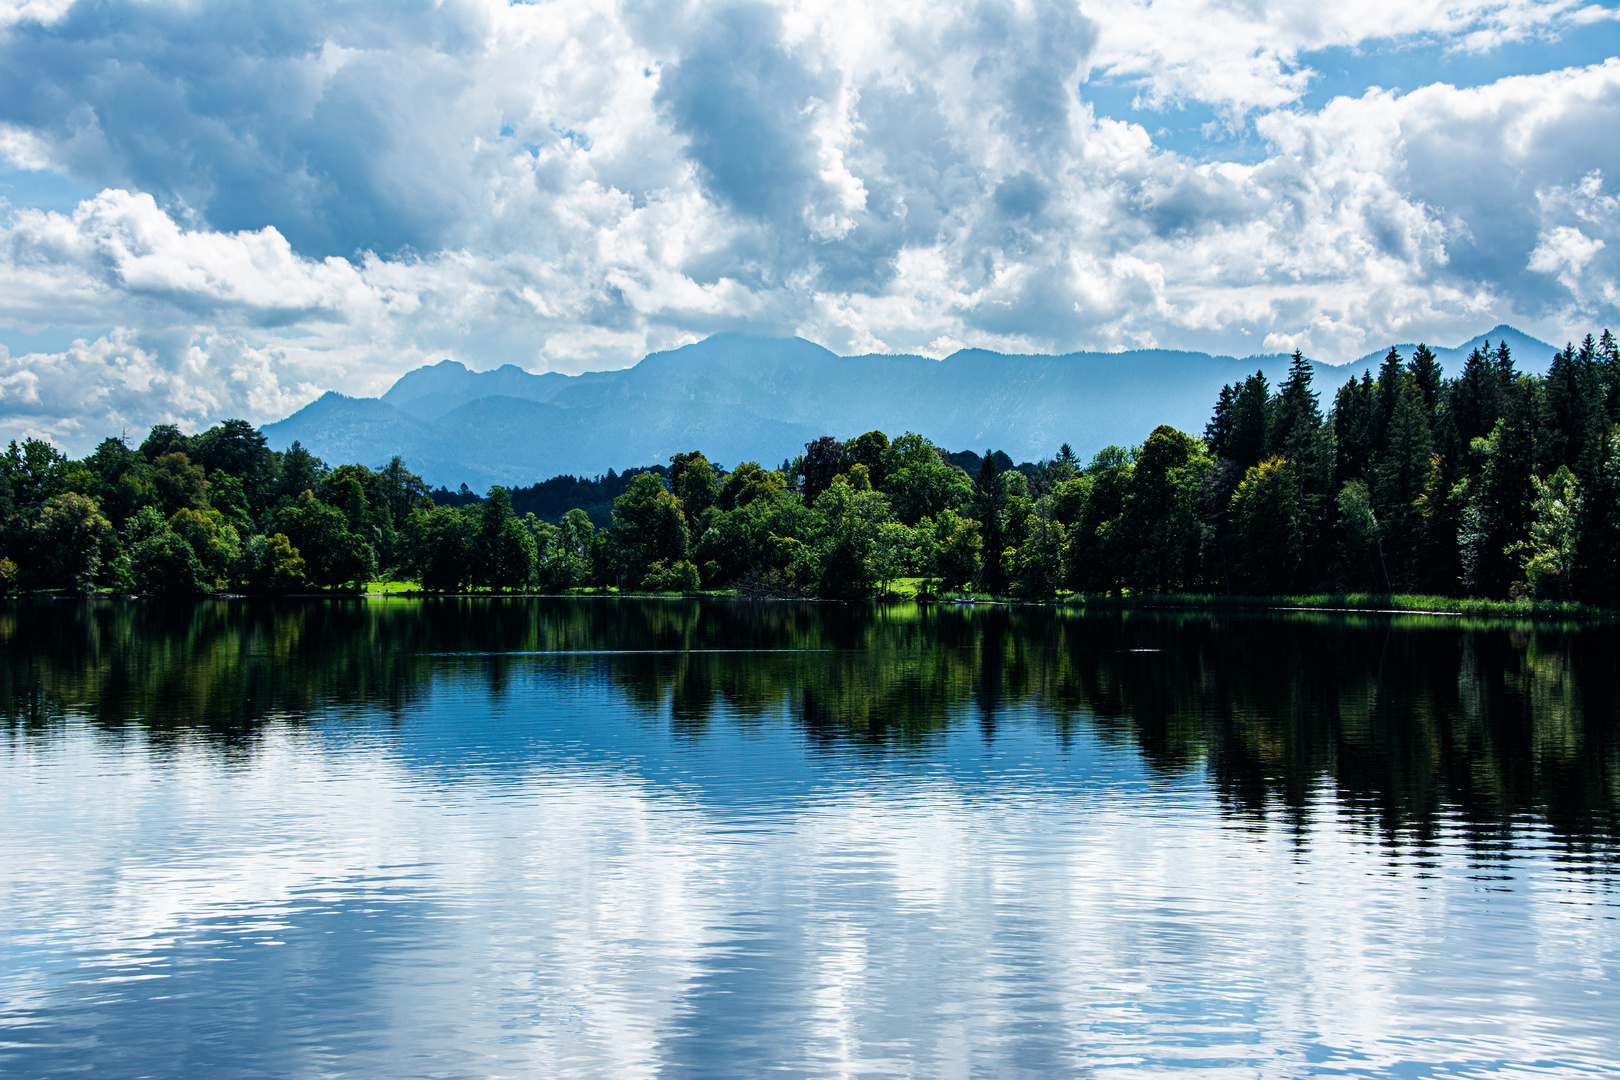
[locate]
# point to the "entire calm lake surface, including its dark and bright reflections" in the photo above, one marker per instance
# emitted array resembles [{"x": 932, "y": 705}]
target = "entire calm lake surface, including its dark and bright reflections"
[{"x": 639, "y": 838}]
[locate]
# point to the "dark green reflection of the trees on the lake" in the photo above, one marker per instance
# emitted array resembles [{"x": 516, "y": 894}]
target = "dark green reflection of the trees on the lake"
[{"x": 1409, "y": 721}]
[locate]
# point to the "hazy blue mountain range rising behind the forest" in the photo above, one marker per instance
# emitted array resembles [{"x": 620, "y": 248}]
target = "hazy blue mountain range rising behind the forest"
[{"x": 740, "y": 398}]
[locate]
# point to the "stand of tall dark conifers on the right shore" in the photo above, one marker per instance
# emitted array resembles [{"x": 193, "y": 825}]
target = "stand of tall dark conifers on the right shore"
[{"x": 1496, "y": 483}]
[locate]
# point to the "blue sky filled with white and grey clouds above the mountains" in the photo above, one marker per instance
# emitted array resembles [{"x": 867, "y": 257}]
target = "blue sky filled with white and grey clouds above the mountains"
[{"x": 224, "y": 210}]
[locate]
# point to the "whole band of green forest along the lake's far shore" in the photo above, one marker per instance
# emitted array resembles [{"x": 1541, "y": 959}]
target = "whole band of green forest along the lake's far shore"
[{"x": 1496, "y": 483}]
